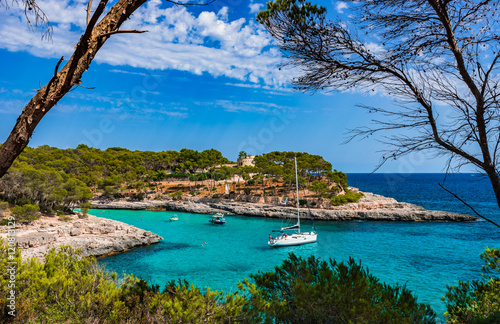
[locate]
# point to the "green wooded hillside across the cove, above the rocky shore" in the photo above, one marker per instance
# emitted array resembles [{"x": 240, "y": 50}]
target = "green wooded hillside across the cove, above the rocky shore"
[{"x": 58, "y": 179}]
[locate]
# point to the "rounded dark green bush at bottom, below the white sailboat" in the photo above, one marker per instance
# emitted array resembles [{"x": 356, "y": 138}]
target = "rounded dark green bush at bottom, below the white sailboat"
[{"x": 313, "y": 291}]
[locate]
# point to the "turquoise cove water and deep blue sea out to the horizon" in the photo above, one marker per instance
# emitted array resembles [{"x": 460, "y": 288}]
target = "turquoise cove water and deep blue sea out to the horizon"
[{"x": 425, "y": 256}]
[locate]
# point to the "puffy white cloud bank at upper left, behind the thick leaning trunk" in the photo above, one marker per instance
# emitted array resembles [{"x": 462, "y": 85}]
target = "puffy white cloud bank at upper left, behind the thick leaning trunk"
[{"x": 177, "y": 39}]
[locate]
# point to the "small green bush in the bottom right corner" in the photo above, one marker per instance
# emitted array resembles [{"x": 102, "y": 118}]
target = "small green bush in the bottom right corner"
[{"x": 477, "y": 301}]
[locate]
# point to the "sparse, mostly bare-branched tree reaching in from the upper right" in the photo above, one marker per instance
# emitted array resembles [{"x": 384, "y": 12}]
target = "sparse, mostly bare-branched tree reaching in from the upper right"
[{"x": 438, "y": 61}]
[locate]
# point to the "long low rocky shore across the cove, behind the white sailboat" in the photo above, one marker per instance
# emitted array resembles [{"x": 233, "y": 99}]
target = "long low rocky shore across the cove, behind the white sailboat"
[{"x": 369, "y": 208}]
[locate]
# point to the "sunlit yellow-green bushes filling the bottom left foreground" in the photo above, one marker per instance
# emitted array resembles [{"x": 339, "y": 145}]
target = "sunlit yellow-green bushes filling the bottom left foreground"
[{"x": 70, "y": 289}]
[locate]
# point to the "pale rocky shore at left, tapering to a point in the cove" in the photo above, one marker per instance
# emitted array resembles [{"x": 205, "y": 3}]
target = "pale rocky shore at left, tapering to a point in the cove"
[{"x": 94, "y": 236}]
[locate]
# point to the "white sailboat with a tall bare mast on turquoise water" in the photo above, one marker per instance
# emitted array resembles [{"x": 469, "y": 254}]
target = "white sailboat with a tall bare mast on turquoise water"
[{"x": 297, "y": 237}]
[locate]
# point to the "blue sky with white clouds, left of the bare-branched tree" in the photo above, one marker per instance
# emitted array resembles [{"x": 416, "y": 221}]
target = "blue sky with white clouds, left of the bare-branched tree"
[{"x": 203, "y": 77}]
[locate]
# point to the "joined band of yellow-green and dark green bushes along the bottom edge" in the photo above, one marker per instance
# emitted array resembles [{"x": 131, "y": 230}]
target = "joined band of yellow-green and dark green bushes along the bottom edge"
[{"x": 70, "y": 289}]
